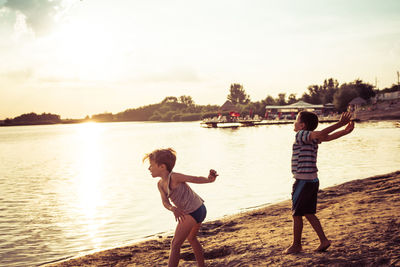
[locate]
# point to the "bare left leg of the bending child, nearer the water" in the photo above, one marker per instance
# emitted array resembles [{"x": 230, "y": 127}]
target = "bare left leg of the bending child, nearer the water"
[{"x": 182, "y": 231}]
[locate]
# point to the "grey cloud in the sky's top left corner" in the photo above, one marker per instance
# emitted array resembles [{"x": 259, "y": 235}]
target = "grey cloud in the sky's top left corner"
[{"x": 38, "y": 15}]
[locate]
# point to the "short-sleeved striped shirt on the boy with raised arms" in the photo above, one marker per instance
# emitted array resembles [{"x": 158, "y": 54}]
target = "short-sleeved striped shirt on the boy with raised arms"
[{"x": 304, "y": 157}]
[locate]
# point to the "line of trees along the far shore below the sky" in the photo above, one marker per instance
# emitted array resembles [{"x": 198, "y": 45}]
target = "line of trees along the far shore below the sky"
[{"x": 183, "y": 108}]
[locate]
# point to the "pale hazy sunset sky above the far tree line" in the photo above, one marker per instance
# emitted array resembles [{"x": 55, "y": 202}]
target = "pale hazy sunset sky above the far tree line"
[{"x": 83, "y": 57}]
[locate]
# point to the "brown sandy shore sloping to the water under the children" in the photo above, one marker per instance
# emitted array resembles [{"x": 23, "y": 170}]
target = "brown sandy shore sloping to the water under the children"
[{"x": 359, "y": 217}]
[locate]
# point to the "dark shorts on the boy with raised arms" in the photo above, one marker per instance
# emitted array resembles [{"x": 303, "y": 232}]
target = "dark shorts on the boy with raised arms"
[{"x": 304, "y": 197}]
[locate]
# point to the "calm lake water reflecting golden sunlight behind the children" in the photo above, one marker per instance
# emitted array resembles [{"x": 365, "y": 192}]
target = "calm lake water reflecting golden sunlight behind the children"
[{"x": 68, "y": 190}]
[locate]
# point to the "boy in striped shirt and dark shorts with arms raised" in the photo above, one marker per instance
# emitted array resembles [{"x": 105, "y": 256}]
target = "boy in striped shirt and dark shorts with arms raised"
[{"x": 304, "y": 169}]
